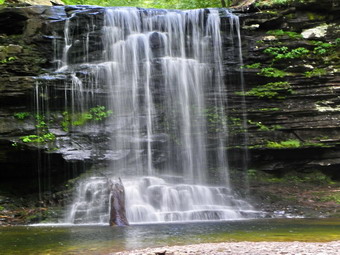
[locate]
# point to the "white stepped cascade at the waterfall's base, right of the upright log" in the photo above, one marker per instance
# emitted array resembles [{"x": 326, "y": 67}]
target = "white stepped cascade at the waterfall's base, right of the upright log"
[{"x": 153, "y": 199}]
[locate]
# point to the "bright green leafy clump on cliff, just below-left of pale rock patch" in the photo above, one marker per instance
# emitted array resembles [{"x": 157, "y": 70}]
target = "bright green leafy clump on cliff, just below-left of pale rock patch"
[{"x": 283, "y": 52}]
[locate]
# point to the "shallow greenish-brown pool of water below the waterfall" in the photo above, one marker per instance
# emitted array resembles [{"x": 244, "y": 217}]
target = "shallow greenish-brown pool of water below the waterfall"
[{"x": 99, "y": 239}]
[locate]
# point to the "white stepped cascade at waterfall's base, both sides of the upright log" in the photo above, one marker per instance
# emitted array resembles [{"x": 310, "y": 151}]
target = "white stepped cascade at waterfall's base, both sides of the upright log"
[{"x": 157, "y": 200}]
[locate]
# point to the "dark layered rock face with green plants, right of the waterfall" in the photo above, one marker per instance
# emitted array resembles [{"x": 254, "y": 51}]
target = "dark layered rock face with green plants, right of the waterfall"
[{"x": 307, "y": 115}]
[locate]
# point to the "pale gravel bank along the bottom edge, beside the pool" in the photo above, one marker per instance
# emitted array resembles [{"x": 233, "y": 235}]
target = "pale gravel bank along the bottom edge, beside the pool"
[{"x": 244, "y": 248}]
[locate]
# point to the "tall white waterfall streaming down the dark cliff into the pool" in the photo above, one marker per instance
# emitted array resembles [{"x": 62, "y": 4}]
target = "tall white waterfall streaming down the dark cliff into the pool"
[{"x": 163, "y": 71}]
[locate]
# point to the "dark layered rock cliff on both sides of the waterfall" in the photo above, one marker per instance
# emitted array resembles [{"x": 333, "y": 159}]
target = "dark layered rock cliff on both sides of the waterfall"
[{"x": 291, "y": 92}]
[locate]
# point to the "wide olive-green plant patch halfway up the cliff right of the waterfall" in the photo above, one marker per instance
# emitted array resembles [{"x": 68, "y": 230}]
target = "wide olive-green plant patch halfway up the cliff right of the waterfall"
[{"x": 272, "y": 90}]
